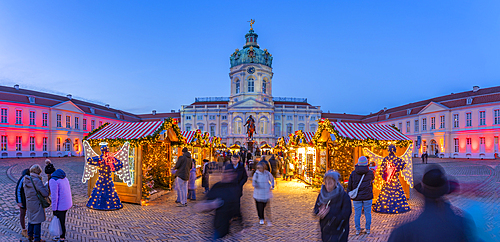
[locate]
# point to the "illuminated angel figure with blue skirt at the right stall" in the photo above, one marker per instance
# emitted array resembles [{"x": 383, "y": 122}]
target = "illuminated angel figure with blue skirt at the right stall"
[{"x": 392, "y": 198}]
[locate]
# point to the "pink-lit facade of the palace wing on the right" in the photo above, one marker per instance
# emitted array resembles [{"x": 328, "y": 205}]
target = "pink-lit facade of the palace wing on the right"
[{"x": 476, "y": 137}]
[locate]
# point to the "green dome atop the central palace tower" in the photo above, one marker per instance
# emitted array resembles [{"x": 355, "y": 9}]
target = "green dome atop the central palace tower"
[{"x": 251, "y": 53}]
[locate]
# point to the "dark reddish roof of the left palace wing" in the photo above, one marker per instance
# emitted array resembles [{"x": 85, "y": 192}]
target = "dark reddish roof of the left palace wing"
[{"x": 46, "y": 99}]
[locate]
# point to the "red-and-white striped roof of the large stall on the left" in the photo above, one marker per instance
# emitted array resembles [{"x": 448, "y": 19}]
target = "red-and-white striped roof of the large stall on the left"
[{"x": 127, "y": 130}]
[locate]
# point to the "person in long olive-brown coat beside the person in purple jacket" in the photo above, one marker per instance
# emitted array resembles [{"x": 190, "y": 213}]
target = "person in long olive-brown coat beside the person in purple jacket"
[{"x": 36, "y": 202}]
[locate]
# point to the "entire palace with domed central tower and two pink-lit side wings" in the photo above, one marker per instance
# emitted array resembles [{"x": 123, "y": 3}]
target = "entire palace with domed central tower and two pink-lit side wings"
[{"x": 460, "y": 125}]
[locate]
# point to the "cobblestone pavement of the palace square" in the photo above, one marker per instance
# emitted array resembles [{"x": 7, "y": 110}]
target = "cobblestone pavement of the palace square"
[{"x": 291, "y": 209}]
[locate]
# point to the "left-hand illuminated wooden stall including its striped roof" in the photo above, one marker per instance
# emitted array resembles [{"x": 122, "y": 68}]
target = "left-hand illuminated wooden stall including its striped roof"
[{"x": 148, "y": 160}]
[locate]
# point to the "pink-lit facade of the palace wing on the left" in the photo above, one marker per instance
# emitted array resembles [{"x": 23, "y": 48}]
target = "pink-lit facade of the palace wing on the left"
[{"x": 27, "y": 129}]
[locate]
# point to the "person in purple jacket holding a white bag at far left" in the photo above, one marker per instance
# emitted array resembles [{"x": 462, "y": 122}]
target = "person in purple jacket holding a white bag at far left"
[{"x": 60, "y": 191}]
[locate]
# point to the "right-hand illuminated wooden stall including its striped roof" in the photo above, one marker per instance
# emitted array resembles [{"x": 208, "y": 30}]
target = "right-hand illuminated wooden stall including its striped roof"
[{"x": 343, "y": 143}]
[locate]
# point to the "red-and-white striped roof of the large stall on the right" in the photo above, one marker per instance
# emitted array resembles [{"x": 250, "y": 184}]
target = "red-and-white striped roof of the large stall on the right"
[{"x": 361, "y": 131}]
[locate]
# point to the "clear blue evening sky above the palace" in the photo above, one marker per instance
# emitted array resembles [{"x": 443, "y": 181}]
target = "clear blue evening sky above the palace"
[{"x": 345, "y": 56}]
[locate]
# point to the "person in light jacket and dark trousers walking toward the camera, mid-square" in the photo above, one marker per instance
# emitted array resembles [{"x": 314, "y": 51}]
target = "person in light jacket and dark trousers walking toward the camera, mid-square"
[{"x": 263, "y": 183}]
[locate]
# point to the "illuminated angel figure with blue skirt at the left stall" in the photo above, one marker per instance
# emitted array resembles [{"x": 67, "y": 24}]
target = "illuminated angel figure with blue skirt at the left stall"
[{"x": 104, "y": 196}]
